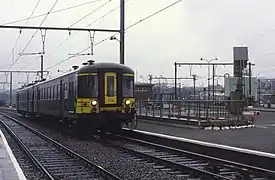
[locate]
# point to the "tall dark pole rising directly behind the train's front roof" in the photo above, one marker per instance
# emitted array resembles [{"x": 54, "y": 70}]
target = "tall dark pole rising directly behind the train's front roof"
[{"x": 122, "y": 29}]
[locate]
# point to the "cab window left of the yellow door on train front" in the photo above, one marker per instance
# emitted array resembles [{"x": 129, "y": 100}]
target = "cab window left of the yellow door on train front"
[{"x": 87, "y": 86}]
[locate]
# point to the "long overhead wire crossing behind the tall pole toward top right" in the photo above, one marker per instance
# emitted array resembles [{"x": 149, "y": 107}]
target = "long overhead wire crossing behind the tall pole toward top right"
[{"x": 132, "y": 25}]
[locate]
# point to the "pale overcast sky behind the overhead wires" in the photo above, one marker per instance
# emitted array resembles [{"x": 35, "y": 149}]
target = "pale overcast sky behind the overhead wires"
[{"x": 184, "y": 33}]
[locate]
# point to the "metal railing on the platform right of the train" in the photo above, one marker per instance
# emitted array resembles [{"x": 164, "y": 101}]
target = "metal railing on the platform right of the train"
[{"x": 192, "y": 109}]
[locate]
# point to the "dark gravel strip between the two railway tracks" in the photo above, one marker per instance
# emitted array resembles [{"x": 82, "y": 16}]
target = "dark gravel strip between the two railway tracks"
[{"x": 119, "y": 163}]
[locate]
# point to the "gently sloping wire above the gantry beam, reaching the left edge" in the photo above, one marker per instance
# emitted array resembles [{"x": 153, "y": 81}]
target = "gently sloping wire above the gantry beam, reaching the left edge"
[{"x": 53, "y": 12}]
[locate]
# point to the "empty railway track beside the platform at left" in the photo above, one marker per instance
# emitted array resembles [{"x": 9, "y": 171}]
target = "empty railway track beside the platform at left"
[{"x": 53, "y": 159}]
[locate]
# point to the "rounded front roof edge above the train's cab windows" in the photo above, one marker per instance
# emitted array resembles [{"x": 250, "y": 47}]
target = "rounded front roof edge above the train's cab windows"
[{"x": 93, "y": 67}]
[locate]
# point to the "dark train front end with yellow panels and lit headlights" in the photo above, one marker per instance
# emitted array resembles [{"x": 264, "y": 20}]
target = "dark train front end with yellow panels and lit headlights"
[{"x": 105, "y": 95}]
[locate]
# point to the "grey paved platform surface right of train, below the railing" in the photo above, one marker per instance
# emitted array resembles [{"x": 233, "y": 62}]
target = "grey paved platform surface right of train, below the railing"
[{"x": 259, "y": 138}]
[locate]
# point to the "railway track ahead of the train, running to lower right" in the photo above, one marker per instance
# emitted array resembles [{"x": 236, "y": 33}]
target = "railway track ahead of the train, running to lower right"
[{"x": 187, "y": 164}]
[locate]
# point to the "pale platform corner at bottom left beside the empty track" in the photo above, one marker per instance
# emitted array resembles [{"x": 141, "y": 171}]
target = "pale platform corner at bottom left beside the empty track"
[{"x": 9, "y": 168}]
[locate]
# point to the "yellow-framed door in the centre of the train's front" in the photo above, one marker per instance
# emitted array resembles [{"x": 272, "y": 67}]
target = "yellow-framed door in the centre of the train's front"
[{"x": 110, "y": 88}]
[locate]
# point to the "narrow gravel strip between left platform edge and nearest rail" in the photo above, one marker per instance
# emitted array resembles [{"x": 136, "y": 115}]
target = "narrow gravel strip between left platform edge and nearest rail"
[{"x": 30, "y": 171}]
